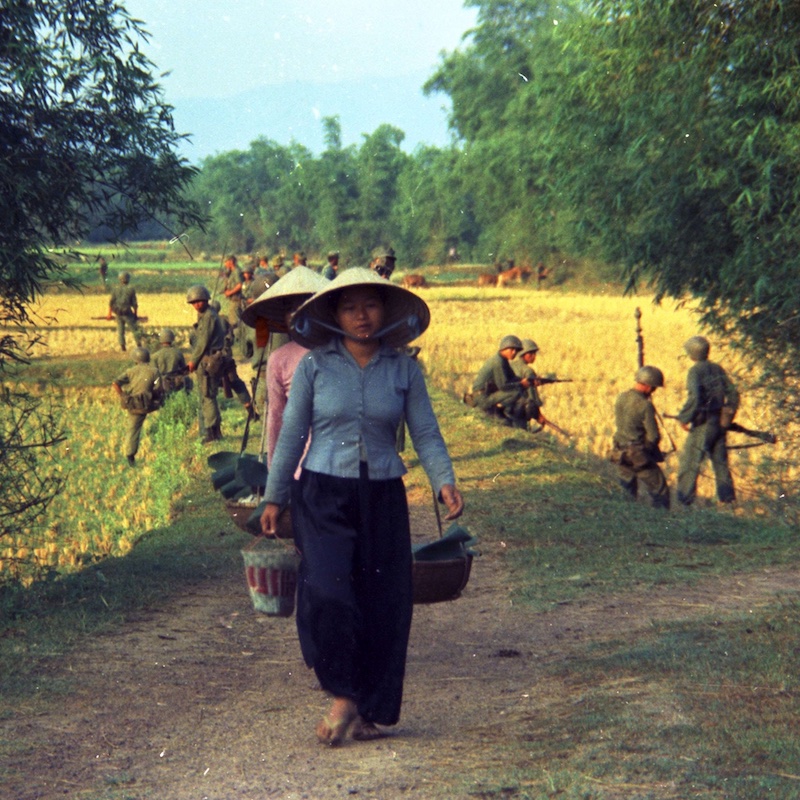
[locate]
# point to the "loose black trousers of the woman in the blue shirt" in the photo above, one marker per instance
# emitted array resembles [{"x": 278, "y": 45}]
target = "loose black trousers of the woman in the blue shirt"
[{"x": 354, "y": 597}]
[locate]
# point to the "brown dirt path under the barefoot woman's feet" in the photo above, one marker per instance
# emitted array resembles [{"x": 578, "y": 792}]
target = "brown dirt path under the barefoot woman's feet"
[{"x": 208, "y": 699}]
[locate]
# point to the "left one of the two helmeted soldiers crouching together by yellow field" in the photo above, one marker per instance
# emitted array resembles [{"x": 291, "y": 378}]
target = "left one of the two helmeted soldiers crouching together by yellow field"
[{"x": 498, "y": 391}]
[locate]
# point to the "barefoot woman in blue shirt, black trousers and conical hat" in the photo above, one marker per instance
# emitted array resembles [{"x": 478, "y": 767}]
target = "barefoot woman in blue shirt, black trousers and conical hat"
[{"x": 349, "y": 508}]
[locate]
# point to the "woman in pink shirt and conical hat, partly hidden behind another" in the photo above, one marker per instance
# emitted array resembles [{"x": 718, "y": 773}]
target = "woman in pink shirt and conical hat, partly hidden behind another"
[{"x": 277, "y": 305}]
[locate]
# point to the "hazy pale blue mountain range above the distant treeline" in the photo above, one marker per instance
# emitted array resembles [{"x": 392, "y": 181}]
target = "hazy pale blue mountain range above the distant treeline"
[{"x": 294, "y": 112}]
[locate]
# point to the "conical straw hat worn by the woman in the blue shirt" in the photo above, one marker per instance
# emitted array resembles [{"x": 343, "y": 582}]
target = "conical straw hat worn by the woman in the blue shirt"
[{"x": 406, "y": 315}]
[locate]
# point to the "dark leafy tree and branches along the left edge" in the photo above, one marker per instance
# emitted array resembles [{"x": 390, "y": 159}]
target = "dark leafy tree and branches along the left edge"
[{"x": 85, "y": 140}]
